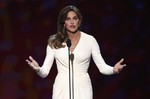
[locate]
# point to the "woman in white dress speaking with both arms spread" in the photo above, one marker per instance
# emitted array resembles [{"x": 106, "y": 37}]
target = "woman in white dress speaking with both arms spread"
[{"x": 83, "y": 46}]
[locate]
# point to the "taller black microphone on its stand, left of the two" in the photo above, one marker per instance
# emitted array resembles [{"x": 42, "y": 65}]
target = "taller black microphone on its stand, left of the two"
[{"x": 69, "y": 45}]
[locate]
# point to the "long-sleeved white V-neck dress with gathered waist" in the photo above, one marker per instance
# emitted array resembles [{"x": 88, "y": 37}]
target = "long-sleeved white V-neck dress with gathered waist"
[{"x": 86, "y": 47}]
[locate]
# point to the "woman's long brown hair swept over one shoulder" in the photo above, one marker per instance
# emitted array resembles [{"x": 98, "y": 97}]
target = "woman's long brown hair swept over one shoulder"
[{"x": 56, "y": 40}]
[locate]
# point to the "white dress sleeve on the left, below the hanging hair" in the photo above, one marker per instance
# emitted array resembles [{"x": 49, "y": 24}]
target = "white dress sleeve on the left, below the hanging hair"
[{"x": 49, "y": 59}]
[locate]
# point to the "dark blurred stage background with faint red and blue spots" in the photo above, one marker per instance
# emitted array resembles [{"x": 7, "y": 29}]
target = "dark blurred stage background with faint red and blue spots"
[{"x": 121, "y": 27}]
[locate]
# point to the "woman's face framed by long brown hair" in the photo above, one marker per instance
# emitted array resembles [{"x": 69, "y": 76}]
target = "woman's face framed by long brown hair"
[{"x": 72, "y": 22}]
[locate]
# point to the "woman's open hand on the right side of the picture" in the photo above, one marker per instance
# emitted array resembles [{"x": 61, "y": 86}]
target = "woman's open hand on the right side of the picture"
[{"x": 119, "y": 66}]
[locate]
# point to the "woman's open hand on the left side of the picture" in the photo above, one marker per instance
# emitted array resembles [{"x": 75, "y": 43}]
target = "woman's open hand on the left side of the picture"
[{"x": 32, "y": 63}]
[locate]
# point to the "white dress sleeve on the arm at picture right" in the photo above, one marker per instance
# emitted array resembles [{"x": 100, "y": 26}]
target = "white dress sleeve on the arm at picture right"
[{"x": 99, "y": 61}]
